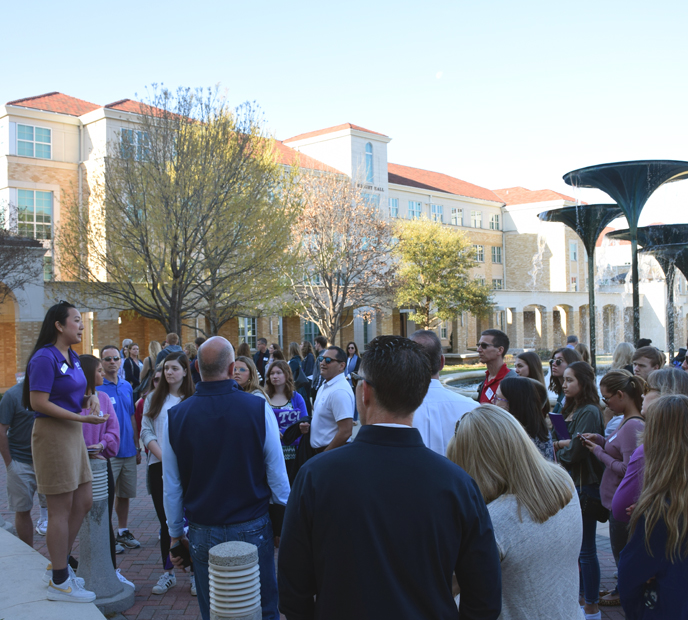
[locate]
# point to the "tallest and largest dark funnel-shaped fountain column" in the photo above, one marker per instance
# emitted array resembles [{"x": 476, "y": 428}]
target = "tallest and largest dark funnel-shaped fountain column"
[{"x": 630, "y": 184}]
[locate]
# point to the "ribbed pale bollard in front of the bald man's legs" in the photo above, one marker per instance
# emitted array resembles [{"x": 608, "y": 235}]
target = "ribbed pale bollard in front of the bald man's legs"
[{"x": 234, "y": 578}]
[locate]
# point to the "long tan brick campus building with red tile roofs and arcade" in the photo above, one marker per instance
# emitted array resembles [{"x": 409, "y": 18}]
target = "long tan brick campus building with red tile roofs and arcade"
[{"x": 50, "y": 144}]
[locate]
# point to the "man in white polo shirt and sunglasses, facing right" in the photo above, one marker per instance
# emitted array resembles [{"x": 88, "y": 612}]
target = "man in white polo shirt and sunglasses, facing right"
[{"x": 333, "y": 412}]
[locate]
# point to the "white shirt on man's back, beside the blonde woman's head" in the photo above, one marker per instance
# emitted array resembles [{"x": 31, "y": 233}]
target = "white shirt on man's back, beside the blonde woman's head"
[{"x": 438, "y": 414}]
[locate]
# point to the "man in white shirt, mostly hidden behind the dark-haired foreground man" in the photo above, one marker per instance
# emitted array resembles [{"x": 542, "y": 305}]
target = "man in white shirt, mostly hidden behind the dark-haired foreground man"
[{"x": 442, "y": 408}]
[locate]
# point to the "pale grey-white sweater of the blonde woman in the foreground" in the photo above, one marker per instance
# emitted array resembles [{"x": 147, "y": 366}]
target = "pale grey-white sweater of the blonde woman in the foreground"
[{"x": 539, "y": 561}]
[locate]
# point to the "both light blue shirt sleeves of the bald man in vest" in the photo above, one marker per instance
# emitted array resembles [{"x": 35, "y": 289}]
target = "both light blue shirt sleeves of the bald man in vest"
[{"x": 278, "y": 480}]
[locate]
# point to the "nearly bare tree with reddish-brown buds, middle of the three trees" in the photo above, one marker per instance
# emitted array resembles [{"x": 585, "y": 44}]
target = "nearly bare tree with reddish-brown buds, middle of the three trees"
[{"x": 344, "y": 246}]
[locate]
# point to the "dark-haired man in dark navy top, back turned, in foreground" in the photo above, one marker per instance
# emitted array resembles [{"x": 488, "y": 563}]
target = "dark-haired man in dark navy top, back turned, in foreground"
[{"x": 376, "y": 528}]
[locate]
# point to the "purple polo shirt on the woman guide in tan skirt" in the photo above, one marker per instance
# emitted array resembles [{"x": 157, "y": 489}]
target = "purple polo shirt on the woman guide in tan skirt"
[{"x": 49, "y": 372}]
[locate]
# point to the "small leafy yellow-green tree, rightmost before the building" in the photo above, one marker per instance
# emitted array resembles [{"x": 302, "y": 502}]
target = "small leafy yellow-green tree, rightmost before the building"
[{"x": 434, "y": 273}]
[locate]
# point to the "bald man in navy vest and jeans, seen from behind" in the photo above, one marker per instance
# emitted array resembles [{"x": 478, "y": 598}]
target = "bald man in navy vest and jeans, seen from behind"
[{"x": 222, "y": 463}]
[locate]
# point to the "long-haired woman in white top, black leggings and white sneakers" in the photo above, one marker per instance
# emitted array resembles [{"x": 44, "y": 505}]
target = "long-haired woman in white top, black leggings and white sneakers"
[{"x": 175, "y": 385}]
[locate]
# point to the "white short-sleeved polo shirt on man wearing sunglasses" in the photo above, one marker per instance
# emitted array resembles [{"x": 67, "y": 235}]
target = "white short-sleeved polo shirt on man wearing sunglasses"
[{"x": 335, "y": 402}]
